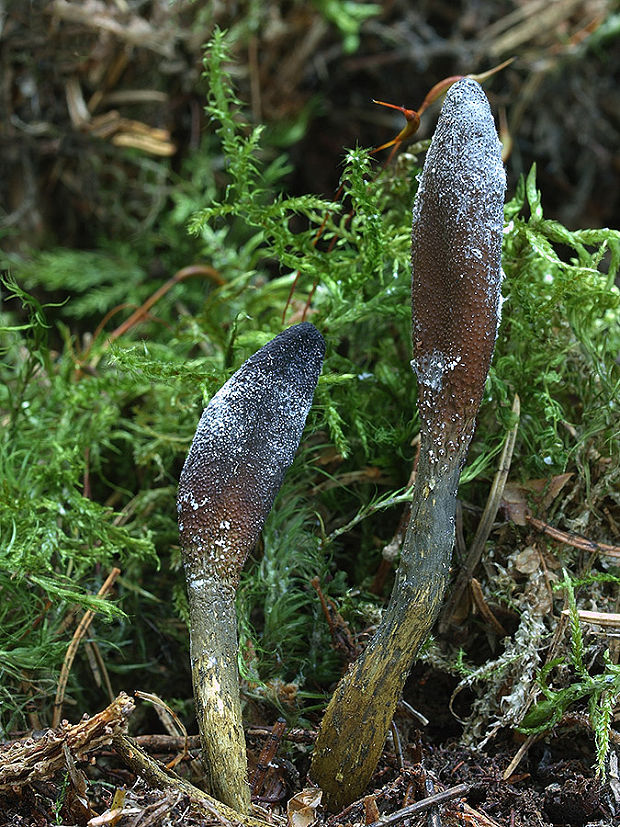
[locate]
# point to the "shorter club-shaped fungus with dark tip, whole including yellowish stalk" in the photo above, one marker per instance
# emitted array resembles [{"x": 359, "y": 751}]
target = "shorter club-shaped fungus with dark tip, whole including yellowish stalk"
[{"x": 246, "y": 439}]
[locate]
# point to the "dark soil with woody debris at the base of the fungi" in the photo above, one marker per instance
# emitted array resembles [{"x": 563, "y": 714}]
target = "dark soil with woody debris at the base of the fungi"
[{"x": 553, "y": 785}]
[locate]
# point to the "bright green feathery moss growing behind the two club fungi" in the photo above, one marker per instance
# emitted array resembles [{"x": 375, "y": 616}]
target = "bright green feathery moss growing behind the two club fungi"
[{"x": 95, "y": 433}]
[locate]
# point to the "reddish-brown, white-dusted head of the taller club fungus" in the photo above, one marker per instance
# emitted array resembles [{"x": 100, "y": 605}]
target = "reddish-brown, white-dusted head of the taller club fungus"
[{"x": 456, "y": 254}]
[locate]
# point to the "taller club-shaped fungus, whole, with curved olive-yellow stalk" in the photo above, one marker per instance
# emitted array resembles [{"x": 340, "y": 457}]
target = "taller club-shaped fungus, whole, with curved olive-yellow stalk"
[{"x": 456, "y": 252}]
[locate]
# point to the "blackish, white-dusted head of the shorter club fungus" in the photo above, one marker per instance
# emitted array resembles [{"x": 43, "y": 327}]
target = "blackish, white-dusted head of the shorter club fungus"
[{"x": 245, "y": 440}]
